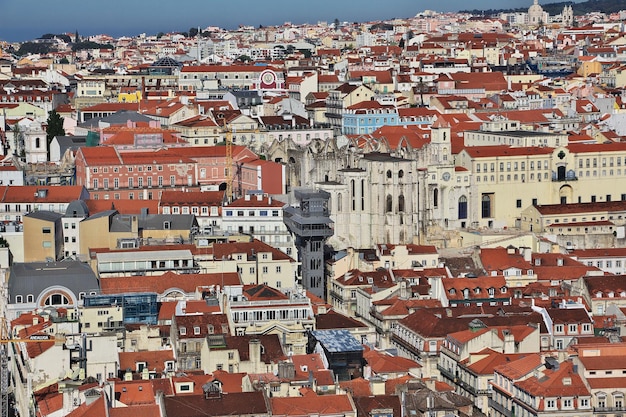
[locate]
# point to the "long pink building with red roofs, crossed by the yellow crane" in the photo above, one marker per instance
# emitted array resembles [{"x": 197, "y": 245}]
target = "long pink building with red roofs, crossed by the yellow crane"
[{"x": 109, "y": 173}]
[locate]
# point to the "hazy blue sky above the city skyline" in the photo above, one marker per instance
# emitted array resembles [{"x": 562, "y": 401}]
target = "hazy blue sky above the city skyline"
[{"x": 28, "y": 19}]
